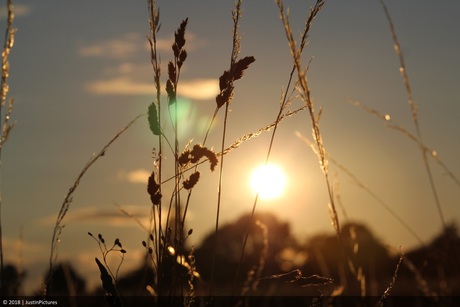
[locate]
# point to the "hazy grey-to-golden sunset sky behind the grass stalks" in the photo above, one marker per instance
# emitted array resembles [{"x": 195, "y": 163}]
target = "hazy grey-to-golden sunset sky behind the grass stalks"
[{"x": 79, "y": 72}]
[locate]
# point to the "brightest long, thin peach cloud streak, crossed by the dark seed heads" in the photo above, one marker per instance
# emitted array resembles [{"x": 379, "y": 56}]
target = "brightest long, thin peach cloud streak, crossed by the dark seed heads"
[{"x": 198, "y": 89}]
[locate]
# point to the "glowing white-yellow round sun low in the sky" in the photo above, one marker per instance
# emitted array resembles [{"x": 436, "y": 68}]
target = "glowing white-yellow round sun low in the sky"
[{"x": 268, "y": 180}]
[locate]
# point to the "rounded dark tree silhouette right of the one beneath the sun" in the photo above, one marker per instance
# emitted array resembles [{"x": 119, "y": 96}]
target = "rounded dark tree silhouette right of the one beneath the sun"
[{"x": 362, "y": 258}]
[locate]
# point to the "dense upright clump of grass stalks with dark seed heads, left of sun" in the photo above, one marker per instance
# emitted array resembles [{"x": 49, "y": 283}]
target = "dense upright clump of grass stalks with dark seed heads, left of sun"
[{"x": 167, "y": 237}]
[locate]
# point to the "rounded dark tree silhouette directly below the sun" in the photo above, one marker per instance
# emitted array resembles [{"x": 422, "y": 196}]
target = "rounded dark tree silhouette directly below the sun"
[{"x": 265, "y": 242}]
